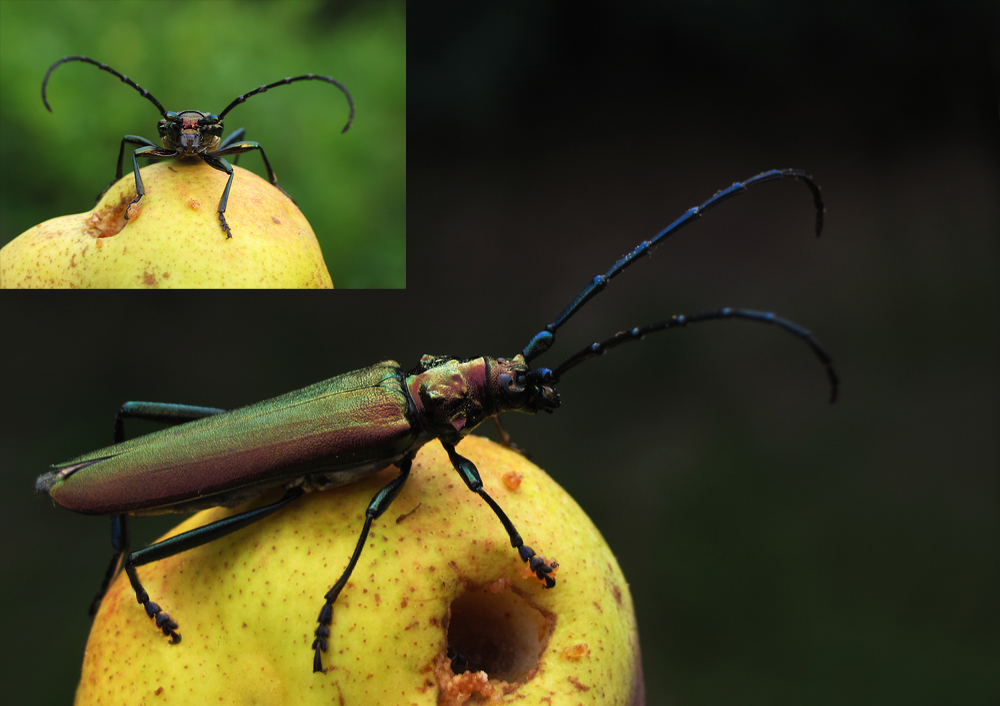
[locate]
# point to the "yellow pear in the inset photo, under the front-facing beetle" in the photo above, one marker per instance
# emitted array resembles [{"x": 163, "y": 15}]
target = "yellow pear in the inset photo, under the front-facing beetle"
[{"x": 172, "y": 237}]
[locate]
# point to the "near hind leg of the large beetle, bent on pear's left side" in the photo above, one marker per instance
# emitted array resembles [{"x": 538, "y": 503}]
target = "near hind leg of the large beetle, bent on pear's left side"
[{"x": 190, "y": 540}]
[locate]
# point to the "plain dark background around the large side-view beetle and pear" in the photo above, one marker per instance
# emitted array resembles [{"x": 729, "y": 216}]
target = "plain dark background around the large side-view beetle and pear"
[{"x": 779, "y": 550}]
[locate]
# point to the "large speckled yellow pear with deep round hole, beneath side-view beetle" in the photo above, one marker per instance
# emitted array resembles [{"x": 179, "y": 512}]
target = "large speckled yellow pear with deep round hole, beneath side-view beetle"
[{"x": 437, "y": 574}]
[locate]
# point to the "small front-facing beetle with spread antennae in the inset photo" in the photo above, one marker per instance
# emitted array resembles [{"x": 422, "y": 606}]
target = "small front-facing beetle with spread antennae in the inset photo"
[{"x": 194, "y": 133}]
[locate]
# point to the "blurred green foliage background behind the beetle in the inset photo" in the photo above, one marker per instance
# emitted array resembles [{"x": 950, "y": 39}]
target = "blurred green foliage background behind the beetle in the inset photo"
[{"x": 202, "y": 55}]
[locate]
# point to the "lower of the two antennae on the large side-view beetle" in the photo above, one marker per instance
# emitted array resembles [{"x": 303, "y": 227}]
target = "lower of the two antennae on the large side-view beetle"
[{"x": 680, "y": 320}]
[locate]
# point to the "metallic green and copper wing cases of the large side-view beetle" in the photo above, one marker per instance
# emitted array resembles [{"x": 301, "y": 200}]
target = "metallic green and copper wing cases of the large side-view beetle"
[{"x": 353, "y": 424}]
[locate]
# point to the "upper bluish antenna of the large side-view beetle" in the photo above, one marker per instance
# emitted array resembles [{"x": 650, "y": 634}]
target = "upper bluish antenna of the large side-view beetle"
[{"x": 544, "y": 339}]
